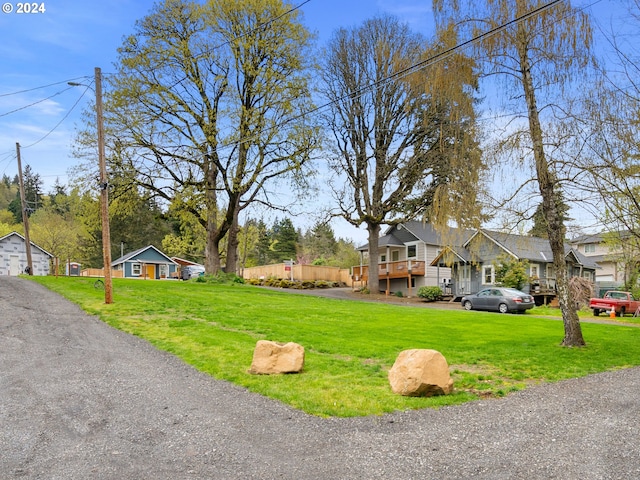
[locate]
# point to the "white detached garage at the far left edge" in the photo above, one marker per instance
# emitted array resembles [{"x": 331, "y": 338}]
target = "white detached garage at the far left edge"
[{"x": 13, "y": 256}]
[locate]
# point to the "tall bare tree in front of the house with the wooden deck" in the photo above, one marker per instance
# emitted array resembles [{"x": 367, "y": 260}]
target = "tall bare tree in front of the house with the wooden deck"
[{"x": 402, "y": 132}]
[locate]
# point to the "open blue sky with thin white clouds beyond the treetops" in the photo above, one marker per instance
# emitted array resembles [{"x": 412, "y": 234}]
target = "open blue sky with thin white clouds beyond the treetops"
[{"x": 71, "y": 37}]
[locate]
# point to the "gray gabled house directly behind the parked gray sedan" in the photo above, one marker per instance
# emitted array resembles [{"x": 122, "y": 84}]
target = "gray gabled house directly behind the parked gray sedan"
[{"x": 473, "y": 263}]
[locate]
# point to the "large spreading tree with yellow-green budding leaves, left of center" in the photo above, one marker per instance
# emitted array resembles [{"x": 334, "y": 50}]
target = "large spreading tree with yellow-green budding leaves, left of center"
[{"x": 201, "y": 107}]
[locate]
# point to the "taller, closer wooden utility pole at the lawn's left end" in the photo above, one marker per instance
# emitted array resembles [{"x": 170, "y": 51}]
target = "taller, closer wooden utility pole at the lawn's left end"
[{"x": 104, "y": 192}]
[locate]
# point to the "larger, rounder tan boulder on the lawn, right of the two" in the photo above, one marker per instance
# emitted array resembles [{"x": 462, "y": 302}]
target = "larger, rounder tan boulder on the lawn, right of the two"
[{"x": 420, "y": 373}]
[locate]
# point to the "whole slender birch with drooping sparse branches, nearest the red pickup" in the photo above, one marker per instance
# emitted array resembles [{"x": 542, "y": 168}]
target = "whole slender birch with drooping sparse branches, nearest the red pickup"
[{"x": 536, "y": 48}]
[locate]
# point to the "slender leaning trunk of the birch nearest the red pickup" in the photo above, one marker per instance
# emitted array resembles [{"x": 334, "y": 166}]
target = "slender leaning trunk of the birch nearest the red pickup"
[{"x": 555, "y": 225}]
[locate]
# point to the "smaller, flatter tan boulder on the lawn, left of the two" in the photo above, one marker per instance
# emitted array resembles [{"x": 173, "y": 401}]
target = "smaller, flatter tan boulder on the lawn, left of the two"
[{"x": 274, "y": 357}]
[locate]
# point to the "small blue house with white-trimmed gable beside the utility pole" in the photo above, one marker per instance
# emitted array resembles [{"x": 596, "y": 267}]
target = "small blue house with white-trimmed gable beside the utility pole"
[{"x": 147, "y": 262}]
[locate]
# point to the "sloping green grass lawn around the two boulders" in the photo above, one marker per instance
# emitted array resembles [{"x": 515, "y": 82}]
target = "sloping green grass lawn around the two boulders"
[{"x": 349, "y": 346}]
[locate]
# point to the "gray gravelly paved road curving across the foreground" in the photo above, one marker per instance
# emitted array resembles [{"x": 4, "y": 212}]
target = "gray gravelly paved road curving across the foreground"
[{"x": 80, "y": 400}]
